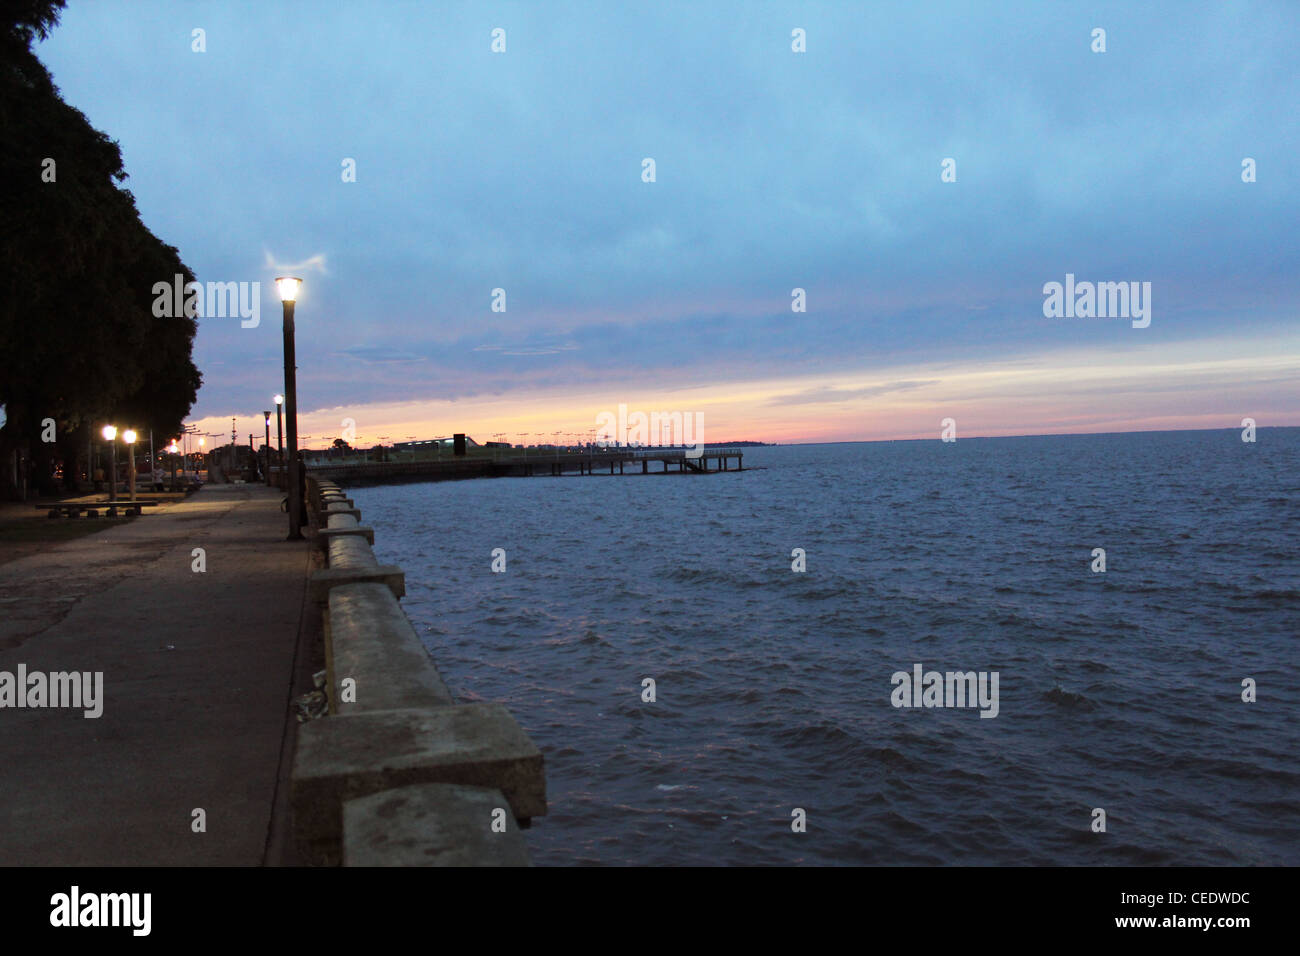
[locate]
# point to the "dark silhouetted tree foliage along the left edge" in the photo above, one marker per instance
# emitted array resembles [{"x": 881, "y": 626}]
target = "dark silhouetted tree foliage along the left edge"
[{"x": 79, "y": 339}]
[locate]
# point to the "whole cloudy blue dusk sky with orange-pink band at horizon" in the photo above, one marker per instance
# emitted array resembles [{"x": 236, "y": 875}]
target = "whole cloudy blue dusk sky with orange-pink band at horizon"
[{"x": 825, "y": 171}]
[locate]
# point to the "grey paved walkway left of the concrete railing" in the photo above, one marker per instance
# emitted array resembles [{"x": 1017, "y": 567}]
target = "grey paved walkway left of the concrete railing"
[{"x": 198, "y": 676}]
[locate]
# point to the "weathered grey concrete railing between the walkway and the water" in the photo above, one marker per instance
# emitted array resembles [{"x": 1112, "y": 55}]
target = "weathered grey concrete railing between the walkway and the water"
[{"x": 398, "y": 773}]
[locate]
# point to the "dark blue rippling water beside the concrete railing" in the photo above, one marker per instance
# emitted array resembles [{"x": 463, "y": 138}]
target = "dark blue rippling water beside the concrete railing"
[{"x": 1120, "y": 691}]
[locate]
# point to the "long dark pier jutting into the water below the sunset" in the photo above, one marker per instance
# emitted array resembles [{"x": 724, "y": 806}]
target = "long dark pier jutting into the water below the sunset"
[{"x": 532, "y": 462}]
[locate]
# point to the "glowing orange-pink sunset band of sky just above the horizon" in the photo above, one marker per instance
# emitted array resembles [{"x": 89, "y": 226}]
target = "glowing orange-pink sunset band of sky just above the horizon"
[{"x": 1206, "y": 384}]
